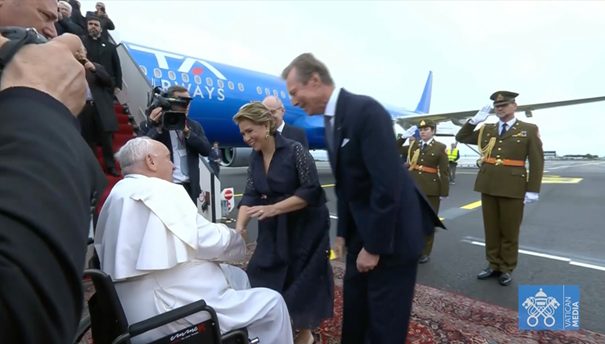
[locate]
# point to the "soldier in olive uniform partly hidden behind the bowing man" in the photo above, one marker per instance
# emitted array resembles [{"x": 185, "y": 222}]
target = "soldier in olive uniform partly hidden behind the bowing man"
[{"x": 428, "y": 165}]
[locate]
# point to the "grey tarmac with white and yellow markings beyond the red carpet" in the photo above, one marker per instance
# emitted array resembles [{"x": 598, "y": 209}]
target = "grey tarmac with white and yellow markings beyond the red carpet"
[{"x": 561, "y": 241}]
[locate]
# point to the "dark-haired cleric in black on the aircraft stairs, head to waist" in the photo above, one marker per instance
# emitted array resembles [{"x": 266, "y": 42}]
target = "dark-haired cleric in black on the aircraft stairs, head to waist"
[{"x": 101, "y": 51}]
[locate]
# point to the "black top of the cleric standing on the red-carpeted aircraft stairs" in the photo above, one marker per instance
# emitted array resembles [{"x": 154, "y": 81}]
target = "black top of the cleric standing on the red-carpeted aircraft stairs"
[{"x": 105, "y": 53}]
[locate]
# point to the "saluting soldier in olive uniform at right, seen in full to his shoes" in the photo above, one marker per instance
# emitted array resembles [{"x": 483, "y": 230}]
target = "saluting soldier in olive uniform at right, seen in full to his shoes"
[{"x": 503, "y": 179}]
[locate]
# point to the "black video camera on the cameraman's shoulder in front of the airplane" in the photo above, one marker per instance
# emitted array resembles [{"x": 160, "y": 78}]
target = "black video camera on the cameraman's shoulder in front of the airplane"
[{"x": 174, "y": 109}]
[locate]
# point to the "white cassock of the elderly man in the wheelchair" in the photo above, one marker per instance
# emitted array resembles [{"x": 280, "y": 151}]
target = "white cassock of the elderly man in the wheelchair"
[{"x": 162, "y": 254}]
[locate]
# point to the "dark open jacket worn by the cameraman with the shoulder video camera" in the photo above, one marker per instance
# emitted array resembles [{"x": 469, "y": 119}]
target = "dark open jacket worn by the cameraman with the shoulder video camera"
[{"x": 197, "y": 144}]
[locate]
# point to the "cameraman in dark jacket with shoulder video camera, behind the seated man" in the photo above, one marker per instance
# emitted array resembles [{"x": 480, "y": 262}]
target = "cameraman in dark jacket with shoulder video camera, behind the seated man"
[{"x": 186, "y": 144}]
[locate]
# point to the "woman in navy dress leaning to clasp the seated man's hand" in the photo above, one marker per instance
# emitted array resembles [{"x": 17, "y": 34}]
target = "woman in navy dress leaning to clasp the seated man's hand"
[{"x": 293, "y": 245}]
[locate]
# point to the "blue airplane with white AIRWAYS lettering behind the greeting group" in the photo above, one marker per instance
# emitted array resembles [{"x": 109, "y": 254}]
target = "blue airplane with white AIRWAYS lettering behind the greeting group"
[{"x": 219, "y": 90}]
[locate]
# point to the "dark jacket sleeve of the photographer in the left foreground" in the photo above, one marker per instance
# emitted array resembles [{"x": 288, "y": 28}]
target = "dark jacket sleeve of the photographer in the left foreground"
[{"x": 48, "y": 175}]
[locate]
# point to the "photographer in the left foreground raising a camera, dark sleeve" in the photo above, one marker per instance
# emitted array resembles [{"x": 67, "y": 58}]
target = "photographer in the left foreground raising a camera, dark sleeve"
[{"x": 48, "y": 179}]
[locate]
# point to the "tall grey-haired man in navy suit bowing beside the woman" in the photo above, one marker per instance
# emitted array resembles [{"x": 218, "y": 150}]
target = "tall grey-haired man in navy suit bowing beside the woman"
[{"x": 382, "y": 217}]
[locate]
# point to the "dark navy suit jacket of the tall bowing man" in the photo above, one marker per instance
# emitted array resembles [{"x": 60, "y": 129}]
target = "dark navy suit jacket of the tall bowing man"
[{"x": 379, "y": 206}]
